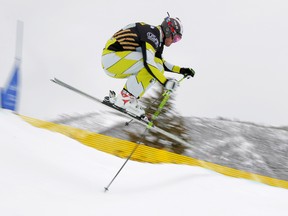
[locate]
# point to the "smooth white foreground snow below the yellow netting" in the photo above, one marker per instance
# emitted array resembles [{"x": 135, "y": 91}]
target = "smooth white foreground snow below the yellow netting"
[{"x": 45, "y": 173}]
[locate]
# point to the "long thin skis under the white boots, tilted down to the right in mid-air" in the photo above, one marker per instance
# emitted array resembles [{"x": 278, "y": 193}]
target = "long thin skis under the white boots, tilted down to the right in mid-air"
[{"x": 142, "y": 121}]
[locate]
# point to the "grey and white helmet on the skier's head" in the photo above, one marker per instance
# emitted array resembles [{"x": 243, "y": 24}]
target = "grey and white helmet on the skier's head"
[{"x": 172, "y": 27}]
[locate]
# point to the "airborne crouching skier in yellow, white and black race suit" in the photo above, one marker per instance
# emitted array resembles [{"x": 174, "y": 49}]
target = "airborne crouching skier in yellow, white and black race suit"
[{"x": 135, "y": 53}]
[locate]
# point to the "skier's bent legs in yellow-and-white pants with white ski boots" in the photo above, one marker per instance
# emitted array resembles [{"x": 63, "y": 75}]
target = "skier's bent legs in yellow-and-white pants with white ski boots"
[{"x": 129, "y": 64}]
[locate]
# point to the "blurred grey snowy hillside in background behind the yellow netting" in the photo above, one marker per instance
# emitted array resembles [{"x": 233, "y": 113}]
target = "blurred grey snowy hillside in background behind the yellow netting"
[{"x": 244, "y": 146}]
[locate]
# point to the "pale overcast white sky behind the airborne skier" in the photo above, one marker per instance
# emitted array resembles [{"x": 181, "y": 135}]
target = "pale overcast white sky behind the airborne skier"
[{"x": 238, "y": 49}]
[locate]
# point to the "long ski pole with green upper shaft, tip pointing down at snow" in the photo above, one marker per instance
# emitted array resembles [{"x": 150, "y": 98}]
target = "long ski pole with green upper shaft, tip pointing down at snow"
[{"x": 166, "y": 95}]
